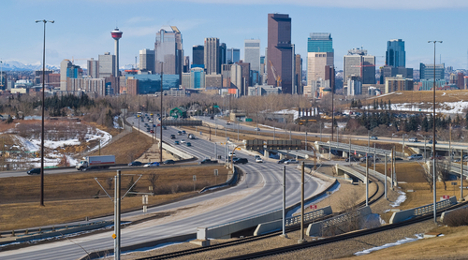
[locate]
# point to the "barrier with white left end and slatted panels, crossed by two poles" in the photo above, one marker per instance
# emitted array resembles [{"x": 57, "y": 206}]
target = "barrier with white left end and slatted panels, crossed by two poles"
[{"x": 276, "y": 225}]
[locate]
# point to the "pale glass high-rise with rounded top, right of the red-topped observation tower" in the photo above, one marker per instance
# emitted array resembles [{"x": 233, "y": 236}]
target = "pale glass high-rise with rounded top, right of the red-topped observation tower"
[{"x": 168, "y": 50}]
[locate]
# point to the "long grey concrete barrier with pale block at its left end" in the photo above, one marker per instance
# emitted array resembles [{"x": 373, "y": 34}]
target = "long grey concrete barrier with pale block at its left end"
[{"x": 225, "y": 230}]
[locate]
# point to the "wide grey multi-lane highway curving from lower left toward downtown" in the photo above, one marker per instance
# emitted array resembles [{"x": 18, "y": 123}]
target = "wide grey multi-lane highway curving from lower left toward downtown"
[{"x": 264, "y": 181}]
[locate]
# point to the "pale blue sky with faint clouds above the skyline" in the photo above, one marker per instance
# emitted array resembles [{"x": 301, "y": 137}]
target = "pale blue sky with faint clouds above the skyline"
[{"x": 82, "y": 28}]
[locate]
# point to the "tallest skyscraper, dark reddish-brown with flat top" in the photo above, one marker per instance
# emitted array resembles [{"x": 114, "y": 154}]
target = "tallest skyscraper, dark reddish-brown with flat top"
[{"x": 280, "y": 52}]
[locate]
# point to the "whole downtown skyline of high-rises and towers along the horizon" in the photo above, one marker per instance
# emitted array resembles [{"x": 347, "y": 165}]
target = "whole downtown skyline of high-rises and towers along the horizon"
[{"x": 216, "y": 68}]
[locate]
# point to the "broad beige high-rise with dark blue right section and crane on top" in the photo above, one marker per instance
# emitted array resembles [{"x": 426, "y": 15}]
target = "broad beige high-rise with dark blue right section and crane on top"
[{"x": 358, "y": 63}]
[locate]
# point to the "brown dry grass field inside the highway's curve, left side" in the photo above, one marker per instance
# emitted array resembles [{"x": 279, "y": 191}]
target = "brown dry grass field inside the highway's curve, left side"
[{"x": 70, "y": 197}]
